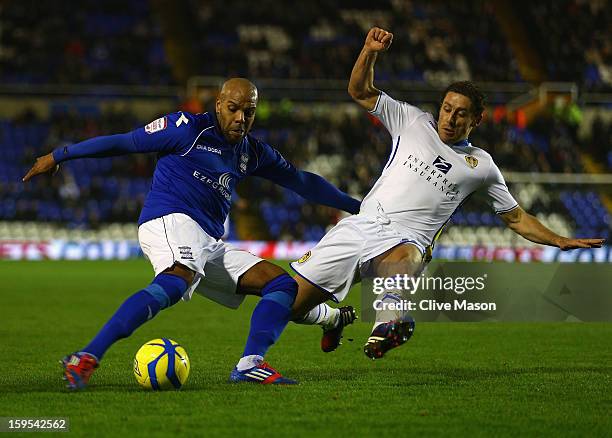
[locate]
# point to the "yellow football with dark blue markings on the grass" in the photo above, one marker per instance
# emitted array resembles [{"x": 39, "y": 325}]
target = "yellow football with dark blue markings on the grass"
[{"x": 161, "y": 364}]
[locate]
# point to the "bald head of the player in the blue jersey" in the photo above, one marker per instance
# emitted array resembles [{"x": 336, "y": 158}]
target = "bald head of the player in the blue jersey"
[{"x": 235, "y": 108}]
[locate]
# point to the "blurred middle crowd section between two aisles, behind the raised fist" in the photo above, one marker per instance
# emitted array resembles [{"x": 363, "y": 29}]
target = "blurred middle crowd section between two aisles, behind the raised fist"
[{"x": 318, "y": 39}]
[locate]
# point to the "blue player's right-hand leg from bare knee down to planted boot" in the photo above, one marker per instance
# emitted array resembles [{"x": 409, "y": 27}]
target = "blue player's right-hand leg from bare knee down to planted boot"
[{"x": 270, "y": 317}]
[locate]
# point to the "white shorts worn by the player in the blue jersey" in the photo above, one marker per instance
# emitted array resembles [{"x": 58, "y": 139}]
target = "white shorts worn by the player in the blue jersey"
[{"x": 176, "y": 238}]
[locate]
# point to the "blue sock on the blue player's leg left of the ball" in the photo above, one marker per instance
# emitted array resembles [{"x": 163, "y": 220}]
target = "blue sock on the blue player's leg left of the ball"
[{"x": 164, "y": 291}]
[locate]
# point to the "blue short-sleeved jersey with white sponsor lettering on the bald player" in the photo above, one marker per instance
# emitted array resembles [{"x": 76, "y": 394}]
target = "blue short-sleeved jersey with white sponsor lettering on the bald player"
[{"x": 197, "y": 169}]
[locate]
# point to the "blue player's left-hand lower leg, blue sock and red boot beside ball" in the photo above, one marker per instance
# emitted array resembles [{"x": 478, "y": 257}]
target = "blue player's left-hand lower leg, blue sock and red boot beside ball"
[{"x": 165, "y": 290}]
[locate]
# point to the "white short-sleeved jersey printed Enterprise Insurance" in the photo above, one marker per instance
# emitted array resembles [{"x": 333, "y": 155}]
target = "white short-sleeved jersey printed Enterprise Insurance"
[{"x": 425, "y": 180}]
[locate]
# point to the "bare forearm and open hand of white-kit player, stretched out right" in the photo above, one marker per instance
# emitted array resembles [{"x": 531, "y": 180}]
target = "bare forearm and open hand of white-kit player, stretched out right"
[{"x": 532, "y": 229}]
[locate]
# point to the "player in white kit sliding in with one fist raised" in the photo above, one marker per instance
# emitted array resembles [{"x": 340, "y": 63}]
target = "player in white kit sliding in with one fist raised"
[{"x": 432, "y": 169}]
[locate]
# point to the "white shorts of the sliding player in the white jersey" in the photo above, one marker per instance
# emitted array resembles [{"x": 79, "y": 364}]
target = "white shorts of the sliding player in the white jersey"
[{"x": 333, "y": 264}]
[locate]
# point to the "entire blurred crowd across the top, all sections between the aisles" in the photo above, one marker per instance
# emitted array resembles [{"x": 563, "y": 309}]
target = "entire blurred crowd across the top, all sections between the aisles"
[{"x": 121, "y": 42}]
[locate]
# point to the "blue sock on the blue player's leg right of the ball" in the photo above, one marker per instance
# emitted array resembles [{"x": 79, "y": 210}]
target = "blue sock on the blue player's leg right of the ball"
[{"x": 271, "y": 315}]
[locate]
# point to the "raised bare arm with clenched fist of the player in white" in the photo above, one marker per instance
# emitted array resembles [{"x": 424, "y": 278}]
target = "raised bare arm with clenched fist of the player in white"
[{"x": 361, "y": 84}]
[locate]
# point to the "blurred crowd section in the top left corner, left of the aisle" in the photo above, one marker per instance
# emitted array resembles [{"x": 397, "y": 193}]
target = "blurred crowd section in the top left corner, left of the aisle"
[{"x": 84, "y": 42}]
